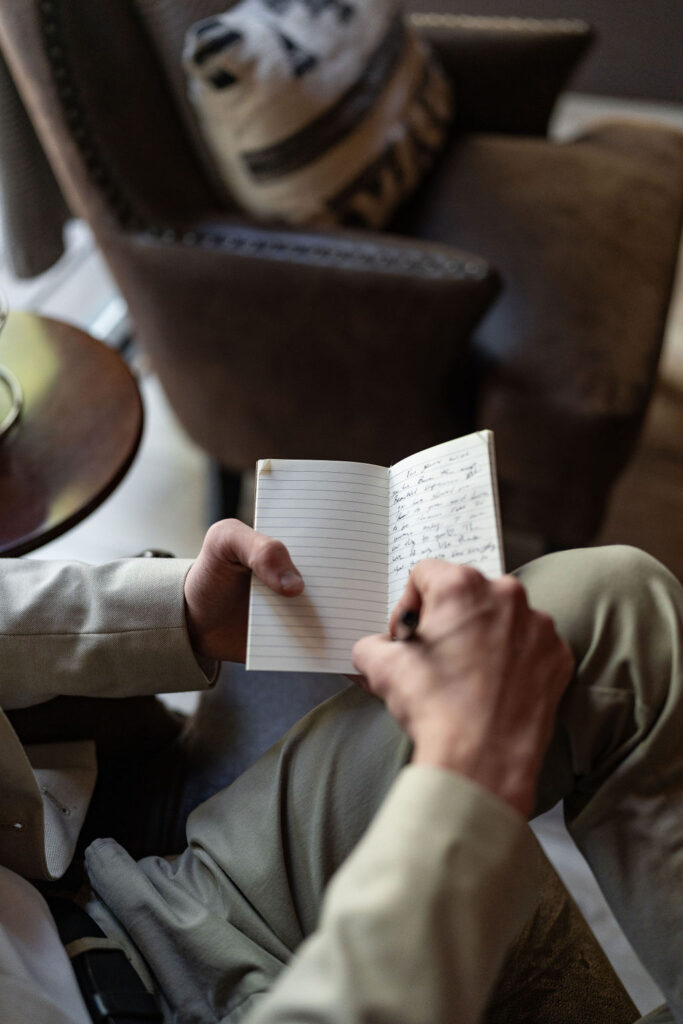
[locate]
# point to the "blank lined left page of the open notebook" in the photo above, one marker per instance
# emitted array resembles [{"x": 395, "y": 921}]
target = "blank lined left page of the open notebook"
[{"x": 333, "y": 519}]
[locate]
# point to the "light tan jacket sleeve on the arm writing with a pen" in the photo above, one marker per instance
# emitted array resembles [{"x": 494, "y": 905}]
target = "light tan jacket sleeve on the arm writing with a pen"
[{"x": 416, "y": 924}]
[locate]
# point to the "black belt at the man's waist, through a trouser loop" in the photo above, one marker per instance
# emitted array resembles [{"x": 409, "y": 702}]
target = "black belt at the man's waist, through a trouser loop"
[{"x": 112, "y": 989}]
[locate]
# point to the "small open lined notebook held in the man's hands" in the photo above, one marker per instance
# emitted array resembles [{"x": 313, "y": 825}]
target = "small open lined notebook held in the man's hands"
[{"x": 355, "y": 533}]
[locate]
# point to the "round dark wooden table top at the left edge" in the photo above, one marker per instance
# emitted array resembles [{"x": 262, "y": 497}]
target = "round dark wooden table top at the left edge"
[{"x": 77, "y": 436}]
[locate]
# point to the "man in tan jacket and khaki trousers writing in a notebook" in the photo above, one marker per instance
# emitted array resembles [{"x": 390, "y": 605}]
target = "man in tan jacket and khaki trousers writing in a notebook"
[{"x": 434, "y": 864}]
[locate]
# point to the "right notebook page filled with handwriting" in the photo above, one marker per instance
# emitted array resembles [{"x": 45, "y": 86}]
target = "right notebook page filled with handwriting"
[{"x": 444, "y": 504}]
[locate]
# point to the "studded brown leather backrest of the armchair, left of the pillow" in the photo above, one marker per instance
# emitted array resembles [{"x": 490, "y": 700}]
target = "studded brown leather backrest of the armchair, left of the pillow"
[{"x": 115, "y": 133}]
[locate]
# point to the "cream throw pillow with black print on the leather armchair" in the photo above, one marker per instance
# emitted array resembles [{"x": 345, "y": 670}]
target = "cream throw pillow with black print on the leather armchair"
[{"x": 318, "y": 111}]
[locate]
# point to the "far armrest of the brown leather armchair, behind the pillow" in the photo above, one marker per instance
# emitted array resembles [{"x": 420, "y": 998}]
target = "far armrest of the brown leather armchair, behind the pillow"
[{"x": 507, "y": 72}]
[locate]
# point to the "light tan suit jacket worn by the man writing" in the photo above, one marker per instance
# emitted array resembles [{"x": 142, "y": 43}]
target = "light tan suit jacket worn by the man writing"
[{"x": 417, "y": 922}]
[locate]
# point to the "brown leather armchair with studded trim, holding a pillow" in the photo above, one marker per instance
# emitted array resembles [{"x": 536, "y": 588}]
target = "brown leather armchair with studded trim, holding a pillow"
[{"x": 277, "y": 342}]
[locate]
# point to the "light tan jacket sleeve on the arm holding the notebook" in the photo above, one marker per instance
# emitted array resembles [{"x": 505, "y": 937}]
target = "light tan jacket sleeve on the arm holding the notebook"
[{"x": 115, "y": 630}]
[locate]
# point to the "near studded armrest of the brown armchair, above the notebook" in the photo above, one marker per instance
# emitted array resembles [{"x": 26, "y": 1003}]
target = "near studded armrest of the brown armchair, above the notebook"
[{"x": 276, "y": 343}]
